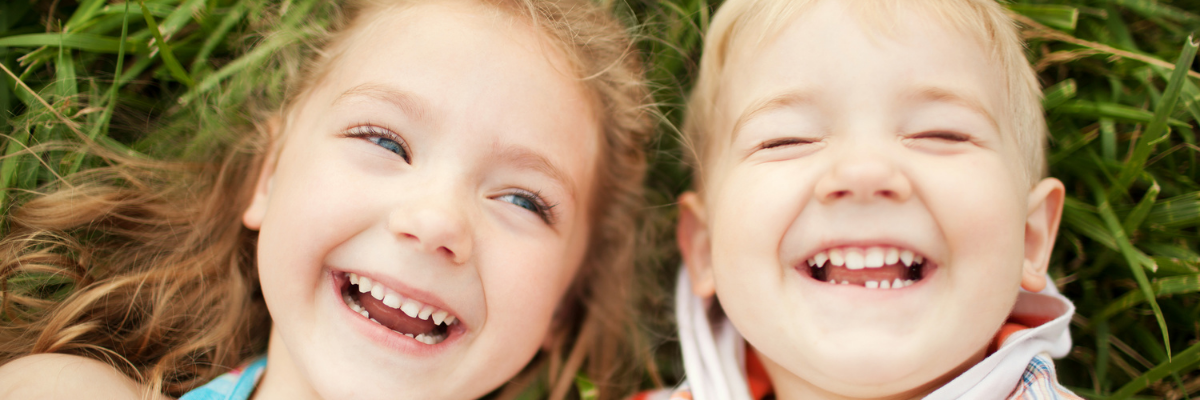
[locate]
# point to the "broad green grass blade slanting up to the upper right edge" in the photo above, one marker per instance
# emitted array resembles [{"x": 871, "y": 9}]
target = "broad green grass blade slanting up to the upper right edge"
[{"x": 1157, "y": 128}]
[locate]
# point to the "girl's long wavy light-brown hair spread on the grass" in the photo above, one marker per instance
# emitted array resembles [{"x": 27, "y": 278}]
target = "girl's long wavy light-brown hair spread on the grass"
[{"x": 146, "y": 265}]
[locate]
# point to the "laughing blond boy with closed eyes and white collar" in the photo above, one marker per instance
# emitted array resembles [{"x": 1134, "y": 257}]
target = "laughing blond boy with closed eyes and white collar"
[{"x": 869, "y": 206}]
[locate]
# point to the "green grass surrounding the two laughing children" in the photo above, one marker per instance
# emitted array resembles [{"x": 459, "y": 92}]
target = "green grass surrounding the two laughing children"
[{"x": 158, "y": 80}]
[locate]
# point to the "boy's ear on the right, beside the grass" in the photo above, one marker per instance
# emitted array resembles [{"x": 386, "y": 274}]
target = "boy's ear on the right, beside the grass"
[{"x": 1041, "y": 229}]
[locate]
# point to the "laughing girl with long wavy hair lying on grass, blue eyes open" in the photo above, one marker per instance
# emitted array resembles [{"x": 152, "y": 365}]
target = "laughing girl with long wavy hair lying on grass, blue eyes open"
[{"x": 442, "y": 206}]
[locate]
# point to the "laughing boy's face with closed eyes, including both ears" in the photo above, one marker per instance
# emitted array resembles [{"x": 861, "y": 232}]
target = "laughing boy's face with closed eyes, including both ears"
[{"x": 866, "y": 147}]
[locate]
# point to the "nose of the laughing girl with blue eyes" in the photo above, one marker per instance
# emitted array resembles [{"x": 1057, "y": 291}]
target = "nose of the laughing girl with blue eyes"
[{"x": 435, "y": 226}]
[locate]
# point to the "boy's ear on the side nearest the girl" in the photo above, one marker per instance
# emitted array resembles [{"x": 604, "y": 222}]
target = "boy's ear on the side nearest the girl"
[{"x": 695, "y": 244}]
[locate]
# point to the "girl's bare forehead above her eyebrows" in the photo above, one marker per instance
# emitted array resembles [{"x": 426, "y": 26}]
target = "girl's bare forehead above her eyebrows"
[{"x": 439, "y": 71}]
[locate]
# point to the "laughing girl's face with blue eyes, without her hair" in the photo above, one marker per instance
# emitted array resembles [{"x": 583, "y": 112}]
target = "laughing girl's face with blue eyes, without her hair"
[{"x": 437, "y": 182}]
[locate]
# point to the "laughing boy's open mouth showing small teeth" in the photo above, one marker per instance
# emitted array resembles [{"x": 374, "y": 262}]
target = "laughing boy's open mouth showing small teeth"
[{"x": 875, "y": 267}]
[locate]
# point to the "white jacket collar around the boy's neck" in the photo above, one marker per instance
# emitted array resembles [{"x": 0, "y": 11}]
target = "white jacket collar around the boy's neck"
[{"x": 713, "y": 351}]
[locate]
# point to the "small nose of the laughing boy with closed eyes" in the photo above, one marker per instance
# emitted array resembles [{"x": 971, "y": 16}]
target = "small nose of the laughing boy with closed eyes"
[{"x": 863, "y": 178}]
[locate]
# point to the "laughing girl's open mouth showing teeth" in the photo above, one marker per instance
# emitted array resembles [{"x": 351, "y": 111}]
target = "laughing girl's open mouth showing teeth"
[{"x": 410, "y": 318}]
